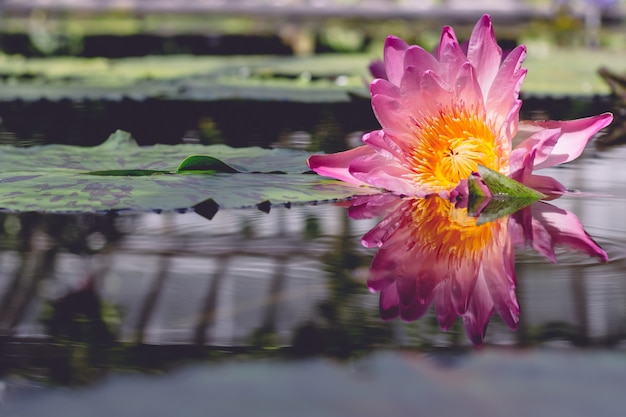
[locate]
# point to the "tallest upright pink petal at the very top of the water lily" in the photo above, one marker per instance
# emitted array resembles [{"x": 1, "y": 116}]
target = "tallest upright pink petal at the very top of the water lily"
[{"x": 484, "y": 53}]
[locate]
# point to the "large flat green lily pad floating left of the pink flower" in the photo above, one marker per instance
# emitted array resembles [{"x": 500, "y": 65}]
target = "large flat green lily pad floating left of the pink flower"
[{"x": 52, "y": 178}]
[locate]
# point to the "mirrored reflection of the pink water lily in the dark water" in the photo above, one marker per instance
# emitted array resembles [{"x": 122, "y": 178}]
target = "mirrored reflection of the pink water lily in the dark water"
[{"x": 433, "y": 252}]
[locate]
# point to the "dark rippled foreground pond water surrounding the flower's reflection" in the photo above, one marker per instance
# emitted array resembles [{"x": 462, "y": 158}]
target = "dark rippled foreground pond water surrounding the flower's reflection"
[{"x": 255, "y": 313}]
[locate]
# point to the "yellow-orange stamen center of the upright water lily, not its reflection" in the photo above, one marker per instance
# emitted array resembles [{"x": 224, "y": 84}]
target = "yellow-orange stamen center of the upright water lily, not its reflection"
[{"x": 449, "y": 146}]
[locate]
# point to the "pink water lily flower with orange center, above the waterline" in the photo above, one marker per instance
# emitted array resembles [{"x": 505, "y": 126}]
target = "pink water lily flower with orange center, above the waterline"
[{"x": 443, "y": 115}]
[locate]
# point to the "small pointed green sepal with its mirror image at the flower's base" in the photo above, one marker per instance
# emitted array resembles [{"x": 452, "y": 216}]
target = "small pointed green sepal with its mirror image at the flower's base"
[{"x": 507, "y": 195}]
